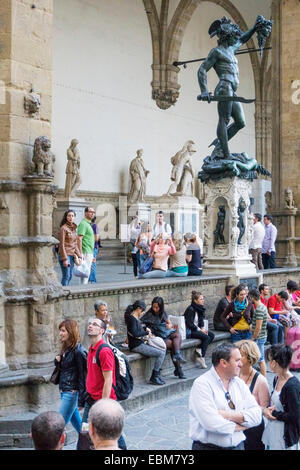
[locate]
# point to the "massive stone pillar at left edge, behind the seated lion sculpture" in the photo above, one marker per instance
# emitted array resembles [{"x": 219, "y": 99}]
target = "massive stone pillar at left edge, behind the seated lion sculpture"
[{"x": 26, "y": 262}]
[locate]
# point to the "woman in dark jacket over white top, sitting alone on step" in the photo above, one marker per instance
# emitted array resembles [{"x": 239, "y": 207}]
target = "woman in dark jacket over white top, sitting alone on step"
[{"x": 194, "y": 322}]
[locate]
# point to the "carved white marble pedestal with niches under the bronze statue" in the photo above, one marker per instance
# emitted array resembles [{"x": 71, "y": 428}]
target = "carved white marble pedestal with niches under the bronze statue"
[{"x": 229, "y": 257}]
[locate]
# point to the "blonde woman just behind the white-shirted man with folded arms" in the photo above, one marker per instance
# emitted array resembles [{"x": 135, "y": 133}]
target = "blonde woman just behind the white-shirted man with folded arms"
[{"x": 258, "y": 386}]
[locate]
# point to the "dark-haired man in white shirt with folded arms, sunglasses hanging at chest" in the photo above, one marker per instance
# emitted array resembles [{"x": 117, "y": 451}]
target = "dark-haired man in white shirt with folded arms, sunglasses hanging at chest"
[{"x": 221, "y": 405}]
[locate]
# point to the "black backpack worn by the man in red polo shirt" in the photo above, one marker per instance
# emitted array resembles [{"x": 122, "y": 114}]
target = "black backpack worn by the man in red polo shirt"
[{"x": 124, "y": 384}]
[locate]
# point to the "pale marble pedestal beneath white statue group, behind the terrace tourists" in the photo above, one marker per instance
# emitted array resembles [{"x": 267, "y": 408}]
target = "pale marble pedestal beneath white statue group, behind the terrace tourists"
[{"x": 182, "y": 212}]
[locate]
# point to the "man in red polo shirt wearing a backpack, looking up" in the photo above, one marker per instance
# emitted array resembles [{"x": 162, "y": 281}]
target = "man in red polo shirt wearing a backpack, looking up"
[{"x": 99, "y": 380}]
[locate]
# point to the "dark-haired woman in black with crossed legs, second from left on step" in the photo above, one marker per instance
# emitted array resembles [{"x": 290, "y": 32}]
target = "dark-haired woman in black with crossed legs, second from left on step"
[{"x": 157, "y": 320}]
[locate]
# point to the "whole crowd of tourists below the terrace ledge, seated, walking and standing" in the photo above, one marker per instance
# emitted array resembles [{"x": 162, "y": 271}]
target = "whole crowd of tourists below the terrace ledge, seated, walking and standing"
[{"x": 231, "y": 406}]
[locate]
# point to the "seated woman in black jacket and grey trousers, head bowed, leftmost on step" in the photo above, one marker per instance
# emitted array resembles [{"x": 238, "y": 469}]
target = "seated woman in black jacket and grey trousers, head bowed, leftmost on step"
[{"x": 137, "y": 336}]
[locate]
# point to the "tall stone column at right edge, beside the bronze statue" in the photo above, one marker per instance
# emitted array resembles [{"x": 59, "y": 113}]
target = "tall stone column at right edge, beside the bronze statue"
[{"x": 286, "y": 115}]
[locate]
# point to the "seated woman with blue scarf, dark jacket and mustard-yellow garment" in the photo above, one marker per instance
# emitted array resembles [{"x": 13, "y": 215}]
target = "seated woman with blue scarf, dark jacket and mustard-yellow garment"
[{"x": 237, "y": 316}]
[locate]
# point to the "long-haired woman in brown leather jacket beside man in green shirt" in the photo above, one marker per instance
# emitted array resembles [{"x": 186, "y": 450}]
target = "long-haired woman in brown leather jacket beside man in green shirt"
[{"x": 69, "y": 246}]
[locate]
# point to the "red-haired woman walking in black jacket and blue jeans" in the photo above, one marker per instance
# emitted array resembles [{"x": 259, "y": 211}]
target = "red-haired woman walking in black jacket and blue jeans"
[{"x": 72, "y": 361}]
